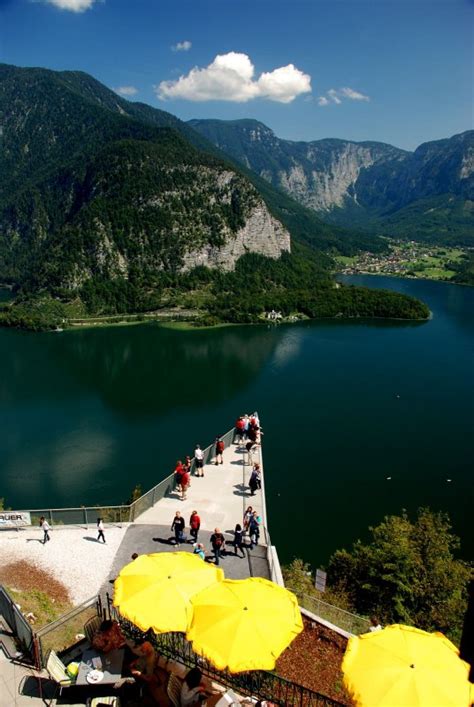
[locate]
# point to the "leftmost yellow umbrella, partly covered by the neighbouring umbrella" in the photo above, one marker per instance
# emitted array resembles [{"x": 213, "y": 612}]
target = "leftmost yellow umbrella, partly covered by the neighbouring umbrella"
[{"x": 154, "y": 591}]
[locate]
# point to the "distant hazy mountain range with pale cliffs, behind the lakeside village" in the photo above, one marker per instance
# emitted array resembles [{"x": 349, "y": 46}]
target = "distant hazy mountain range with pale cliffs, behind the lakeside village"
[{"x": 425, "y": 195}]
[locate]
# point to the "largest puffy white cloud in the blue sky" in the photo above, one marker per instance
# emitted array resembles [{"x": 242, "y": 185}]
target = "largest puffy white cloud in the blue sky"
[{"x": 230, "y": 77}]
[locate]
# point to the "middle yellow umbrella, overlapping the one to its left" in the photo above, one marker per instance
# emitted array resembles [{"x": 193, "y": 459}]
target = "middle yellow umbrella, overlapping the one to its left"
[{"x": 244, "y": 624}]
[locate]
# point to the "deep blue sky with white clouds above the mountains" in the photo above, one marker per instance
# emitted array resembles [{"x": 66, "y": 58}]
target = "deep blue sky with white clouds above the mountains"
[{"x": 398, "y": 71}]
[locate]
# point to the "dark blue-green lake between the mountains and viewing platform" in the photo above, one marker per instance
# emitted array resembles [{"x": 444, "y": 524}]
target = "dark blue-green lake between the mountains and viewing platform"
[{"x": 86, "y": 415}]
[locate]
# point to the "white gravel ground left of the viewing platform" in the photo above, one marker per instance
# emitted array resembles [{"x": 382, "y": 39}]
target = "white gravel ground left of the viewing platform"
[{"x": 73, "y": 556}]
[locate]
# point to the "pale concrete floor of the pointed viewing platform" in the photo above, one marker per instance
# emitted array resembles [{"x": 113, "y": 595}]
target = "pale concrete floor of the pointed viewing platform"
[{"x": 220, "y": 497}]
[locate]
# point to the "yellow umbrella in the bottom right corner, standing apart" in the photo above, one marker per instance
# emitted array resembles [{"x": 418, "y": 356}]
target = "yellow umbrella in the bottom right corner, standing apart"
[{"x": 403, "y": 666}]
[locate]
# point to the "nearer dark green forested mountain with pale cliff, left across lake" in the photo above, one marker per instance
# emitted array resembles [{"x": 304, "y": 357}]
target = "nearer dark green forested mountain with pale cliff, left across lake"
[{"x": 119, "y": 207}]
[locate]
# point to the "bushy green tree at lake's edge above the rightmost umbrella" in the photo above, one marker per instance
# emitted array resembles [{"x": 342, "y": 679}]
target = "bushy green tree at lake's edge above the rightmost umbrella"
[{"x": 407, "y": 574}]
